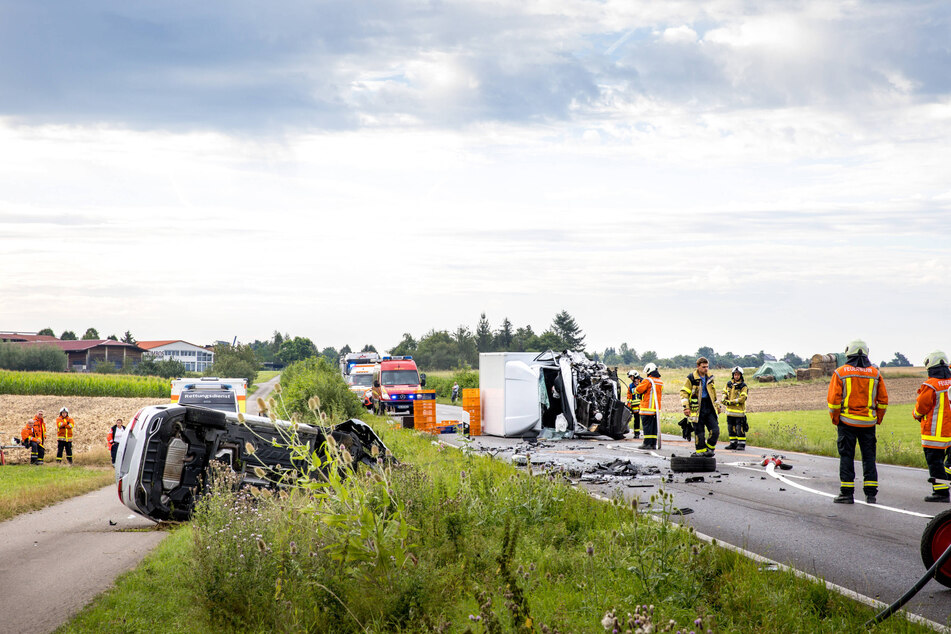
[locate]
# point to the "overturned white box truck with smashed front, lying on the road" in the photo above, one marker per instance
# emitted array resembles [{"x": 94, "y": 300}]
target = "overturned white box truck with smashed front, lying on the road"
[{"x": 550, "y": 395}]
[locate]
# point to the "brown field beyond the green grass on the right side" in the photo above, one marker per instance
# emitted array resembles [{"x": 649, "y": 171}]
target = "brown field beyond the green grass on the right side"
[{"x": 794, "y": 396}]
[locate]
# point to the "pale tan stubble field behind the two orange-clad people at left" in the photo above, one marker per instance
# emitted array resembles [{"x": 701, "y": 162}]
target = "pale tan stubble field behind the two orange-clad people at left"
[{"x": 94, "y": 415}]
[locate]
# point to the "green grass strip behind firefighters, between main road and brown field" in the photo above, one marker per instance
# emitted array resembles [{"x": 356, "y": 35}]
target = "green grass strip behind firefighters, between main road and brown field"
[{"x": 811, "y": 431}]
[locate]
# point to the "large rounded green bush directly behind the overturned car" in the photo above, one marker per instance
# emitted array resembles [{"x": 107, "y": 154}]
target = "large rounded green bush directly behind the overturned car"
[{"x": 315, "y": 377}]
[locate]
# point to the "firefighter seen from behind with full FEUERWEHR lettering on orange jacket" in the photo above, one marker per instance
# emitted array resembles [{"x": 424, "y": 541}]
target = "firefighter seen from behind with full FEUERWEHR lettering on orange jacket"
[{"x": 857, "y": 401}]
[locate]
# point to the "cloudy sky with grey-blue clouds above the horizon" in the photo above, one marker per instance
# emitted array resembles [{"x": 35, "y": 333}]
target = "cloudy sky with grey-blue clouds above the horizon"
[{"x": 769, "y": 175}]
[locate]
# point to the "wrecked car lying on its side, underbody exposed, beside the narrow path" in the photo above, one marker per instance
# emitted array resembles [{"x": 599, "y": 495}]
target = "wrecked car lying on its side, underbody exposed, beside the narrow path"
[{"x": 162, "y": 461}]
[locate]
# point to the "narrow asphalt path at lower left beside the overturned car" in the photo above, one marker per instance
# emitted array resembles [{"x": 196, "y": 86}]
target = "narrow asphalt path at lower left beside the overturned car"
[{"x": 54, "y": 561}]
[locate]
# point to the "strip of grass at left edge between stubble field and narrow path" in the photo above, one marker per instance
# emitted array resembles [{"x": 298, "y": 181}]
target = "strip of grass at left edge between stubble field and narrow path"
[{"x": 26, "y": 488}]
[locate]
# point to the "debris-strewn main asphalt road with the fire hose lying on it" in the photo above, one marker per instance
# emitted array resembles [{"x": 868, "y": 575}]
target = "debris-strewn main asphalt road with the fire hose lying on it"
[{"x": 787, "y": 516}]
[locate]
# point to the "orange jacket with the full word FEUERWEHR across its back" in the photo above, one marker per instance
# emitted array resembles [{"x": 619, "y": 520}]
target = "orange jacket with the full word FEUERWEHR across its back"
[{"x": 858, "y": 396}]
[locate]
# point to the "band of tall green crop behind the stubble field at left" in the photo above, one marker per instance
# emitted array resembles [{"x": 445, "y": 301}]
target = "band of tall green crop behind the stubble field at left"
[{"x": 82, "y": 384}]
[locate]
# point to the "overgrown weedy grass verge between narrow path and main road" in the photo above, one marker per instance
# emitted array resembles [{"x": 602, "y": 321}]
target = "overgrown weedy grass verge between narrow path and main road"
[{"x": 453, "y": 542}]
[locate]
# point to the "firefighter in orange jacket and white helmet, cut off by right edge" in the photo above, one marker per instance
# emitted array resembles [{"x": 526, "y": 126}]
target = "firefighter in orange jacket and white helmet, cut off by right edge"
[{"x": 933, "y": 411}]
